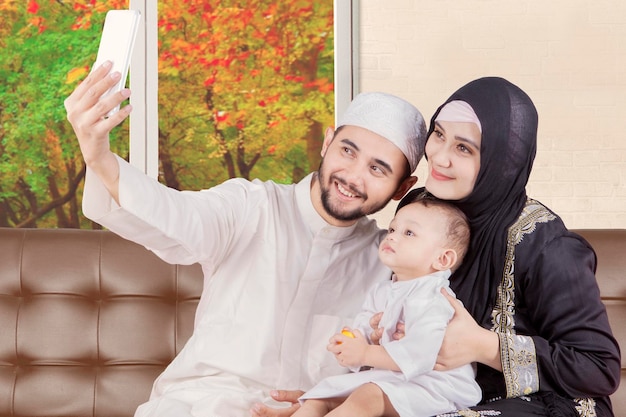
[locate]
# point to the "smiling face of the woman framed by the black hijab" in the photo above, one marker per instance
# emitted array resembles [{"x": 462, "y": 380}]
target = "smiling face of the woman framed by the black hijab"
[{"x": 453, "y": 151}]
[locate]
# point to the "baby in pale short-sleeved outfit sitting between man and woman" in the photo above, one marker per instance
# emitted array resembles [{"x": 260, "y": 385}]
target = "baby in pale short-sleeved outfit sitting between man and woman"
[{"x": 426, "y": 240}]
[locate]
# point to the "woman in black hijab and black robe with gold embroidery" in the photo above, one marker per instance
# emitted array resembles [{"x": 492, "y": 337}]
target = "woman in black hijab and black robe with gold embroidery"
[{"x": 539, "y": 333}]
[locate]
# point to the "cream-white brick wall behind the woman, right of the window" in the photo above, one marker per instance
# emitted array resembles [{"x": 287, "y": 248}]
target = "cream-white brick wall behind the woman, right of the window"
[{"x": 568, "y": 55}]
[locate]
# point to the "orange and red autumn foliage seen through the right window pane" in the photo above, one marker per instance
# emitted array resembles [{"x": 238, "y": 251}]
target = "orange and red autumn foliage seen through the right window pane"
[{"x": 246, "y": 87}]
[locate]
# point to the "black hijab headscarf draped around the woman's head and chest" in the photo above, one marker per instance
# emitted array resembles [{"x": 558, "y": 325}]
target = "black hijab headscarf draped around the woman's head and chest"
[{"x": 509, "y": 140}]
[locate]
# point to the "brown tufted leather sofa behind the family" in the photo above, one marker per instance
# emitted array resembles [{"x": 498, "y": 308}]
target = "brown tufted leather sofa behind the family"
[{"x": 88, "y": 320}]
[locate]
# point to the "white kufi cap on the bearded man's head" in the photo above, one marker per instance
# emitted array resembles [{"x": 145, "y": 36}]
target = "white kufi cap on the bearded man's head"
[{"x": 391, "y": 117}]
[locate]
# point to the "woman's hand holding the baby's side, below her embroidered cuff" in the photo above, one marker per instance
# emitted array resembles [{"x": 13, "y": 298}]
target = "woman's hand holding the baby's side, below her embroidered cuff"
[{"x": 466, "y": 342}]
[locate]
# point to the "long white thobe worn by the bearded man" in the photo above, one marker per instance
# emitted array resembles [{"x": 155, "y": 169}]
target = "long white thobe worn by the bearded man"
[{"x": 278, "y": 283}]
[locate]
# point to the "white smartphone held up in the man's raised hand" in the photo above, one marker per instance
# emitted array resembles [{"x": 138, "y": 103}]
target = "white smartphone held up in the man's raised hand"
[{"x": 116, "y": 45}]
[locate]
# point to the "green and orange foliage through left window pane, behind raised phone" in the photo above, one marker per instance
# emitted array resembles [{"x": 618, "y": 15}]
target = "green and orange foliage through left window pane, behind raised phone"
[{"x": 45, "y": 47}]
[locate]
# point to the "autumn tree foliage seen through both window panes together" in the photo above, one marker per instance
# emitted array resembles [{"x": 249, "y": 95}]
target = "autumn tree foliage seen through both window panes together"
[{"x": 245, "y": 89}]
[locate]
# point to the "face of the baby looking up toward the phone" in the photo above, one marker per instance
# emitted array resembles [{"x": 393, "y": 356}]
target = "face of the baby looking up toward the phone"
[{"x": 414, "y": 241}]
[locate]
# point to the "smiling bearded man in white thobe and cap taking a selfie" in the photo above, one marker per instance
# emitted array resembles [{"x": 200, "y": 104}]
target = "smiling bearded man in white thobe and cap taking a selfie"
[{"x": 285, "y": 266}]
